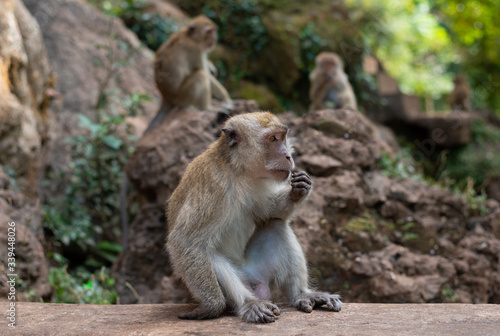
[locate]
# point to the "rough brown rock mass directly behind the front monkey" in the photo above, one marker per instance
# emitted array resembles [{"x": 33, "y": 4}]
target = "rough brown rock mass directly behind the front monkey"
[{"x": 386, "y": 239}]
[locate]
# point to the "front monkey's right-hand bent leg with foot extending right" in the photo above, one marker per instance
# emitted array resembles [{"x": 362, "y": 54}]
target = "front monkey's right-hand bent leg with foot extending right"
[{"x": 292, "y": 273}]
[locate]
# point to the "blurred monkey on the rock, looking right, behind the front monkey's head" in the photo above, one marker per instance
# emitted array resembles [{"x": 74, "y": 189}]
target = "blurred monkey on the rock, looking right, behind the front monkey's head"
[{"x": 182, "y": 68}]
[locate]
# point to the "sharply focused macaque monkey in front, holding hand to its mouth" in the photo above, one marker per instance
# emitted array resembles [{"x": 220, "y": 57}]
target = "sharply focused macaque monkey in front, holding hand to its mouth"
[{"x": 229, "y": 235}]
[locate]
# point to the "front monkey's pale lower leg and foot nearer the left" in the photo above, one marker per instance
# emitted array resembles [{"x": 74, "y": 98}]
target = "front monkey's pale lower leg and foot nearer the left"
[{"x": 247, "y": 306}]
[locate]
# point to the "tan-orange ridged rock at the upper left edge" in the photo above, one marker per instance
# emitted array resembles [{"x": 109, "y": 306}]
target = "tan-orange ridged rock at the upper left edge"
[{"x": 24, "y": 76}]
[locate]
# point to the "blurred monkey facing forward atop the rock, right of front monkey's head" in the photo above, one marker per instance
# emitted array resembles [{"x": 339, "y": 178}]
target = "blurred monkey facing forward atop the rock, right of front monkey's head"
[{"x": 330, "y": 86}]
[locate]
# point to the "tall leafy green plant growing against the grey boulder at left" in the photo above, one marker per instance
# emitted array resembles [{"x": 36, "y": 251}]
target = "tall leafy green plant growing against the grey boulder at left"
[{"x": 88, "y": 207}]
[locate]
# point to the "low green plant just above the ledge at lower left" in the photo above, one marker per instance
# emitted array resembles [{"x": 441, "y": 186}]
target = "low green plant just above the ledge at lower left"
[{"x": 82, "y": 286}]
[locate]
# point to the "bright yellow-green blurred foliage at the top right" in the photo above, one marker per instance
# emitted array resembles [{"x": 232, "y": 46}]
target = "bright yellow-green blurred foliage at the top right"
[{"x": 408, "y": 38}]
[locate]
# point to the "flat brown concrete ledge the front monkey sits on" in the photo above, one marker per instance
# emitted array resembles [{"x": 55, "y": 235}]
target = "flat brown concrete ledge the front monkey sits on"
[{"x": 161, "y": 319}]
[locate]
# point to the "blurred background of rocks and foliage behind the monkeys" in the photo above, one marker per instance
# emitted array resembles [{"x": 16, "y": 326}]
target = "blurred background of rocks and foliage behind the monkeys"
[{"x": 407, "y": 189}]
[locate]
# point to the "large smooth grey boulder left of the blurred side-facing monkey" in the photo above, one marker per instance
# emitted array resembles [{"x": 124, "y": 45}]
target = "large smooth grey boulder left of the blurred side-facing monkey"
[{"x": 78, "y": 38}]
